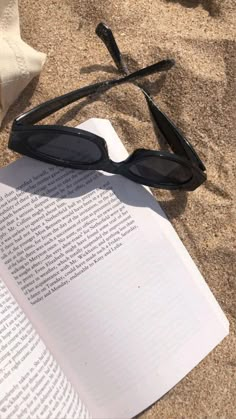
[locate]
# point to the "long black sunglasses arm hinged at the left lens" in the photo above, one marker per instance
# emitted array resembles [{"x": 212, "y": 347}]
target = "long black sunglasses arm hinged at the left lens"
[{"x": 47, "y": 108}]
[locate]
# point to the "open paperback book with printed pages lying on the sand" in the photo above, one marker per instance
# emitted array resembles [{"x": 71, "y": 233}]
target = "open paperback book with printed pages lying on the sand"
[{"x": 102, "y": 310}]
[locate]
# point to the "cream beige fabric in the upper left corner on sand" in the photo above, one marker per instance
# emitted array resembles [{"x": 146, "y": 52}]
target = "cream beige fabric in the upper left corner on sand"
[{"x": 19, "y": 63}]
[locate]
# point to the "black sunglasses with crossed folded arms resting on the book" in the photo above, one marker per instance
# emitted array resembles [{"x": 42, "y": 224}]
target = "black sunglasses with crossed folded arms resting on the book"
[{"x": 79, "y": 149}]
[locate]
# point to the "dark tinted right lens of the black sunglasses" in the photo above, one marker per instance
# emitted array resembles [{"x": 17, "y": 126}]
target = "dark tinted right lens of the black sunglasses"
[{"x": 161, "y": 171}]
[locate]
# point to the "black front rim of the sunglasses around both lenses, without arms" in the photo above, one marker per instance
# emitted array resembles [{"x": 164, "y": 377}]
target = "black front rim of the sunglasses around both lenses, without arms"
[{"x": 20, "y": 134}]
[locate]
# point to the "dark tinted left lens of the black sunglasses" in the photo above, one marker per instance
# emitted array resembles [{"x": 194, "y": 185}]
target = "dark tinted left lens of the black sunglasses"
[{"x": 65, "y": 147}]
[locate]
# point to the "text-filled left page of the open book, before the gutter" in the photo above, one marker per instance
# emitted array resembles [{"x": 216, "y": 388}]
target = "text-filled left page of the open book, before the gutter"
[{"x": 31, "y": 382}]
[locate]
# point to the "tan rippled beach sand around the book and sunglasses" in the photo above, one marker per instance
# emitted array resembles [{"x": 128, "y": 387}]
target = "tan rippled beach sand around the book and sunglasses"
[{"x": 199, "y": 95}]
